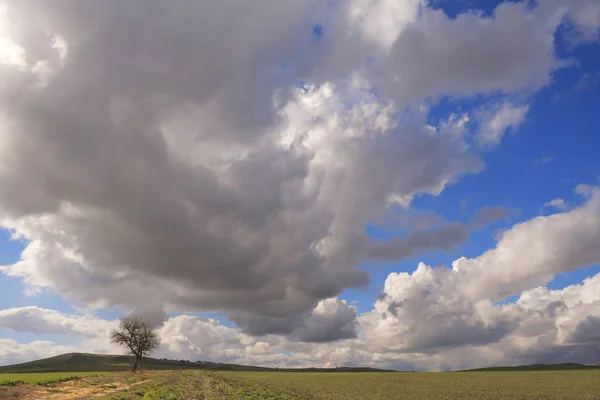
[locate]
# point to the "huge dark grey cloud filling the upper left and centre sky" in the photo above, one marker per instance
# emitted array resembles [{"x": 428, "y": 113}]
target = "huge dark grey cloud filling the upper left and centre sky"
[{"x": 150, "y": 163}]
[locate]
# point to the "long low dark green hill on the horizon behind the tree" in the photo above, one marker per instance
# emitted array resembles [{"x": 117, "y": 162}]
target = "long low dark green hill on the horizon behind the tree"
[{"x": 81, "y": 362}]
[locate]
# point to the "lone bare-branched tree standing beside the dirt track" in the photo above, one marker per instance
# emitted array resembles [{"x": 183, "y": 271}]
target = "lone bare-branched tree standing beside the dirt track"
[{"x": 137, "y": 336}]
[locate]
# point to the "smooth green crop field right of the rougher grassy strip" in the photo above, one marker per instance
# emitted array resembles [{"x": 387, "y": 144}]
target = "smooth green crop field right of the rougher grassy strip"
[{"x": 547, "y": 385}]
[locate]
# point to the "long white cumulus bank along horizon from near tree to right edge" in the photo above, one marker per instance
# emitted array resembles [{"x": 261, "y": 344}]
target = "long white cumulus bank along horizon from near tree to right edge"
[{"x": 432, "y": 319}]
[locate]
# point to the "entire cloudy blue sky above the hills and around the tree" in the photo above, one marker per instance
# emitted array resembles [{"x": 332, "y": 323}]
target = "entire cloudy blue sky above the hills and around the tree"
[{"x": 403, "y": 184}]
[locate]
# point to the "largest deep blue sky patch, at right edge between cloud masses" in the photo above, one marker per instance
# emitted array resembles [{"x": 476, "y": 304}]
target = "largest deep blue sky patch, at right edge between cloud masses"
[{"x": 565, "y": 135}]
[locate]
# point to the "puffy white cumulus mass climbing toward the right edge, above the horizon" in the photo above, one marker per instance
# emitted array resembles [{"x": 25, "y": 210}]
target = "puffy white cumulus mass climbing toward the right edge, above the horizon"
[{"x": 443, "y": 308}]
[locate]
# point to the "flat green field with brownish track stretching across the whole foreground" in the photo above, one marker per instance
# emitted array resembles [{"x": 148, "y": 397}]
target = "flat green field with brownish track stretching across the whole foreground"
[{"x": 210, "y": 385}]
